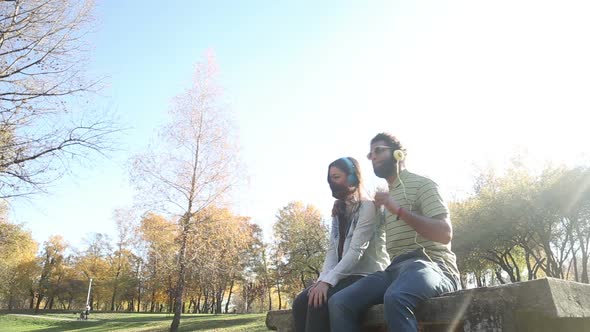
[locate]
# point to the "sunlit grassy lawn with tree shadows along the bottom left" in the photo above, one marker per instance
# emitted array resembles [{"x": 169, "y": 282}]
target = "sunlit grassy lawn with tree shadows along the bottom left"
[{"x": 56, "y": 322}]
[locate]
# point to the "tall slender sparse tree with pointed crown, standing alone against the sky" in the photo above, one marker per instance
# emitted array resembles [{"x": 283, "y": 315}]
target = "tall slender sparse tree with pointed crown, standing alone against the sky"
[{"x": 192, "y": 165}]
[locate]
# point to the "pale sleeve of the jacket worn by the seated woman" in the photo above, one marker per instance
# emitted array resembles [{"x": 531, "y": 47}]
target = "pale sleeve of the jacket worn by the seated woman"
[{"x": 361, "y": 237}]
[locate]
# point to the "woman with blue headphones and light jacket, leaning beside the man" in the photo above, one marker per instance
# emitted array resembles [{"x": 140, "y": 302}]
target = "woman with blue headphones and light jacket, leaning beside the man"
[{"x": 356, "y": 248}]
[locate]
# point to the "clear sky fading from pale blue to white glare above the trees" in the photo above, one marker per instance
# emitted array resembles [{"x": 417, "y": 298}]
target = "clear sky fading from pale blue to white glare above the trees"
[{"x": 461, "y": 83}]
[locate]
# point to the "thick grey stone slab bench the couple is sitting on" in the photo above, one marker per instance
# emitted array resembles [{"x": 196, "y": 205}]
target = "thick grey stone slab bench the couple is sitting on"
[{"x": 539, "y": 305}]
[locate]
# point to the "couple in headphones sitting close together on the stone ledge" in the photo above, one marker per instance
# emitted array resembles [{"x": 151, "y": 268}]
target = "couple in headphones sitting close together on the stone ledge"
[{"x": 414, "y": 231}]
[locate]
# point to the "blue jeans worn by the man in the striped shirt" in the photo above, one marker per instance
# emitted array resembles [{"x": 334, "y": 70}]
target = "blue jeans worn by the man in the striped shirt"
[{"x": 409, "y": 279}]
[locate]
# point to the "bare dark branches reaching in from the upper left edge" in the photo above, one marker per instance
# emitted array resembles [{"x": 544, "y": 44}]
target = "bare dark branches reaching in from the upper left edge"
[{"x": 43, "y": 87}]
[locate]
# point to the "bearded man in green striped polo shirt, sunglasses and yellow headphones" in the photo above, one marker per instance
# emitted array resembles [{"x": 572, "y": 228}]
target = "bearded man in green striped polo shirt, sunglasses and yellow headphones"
[{"x": 419, "y": 234}]
